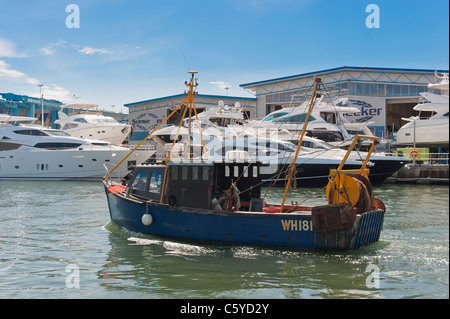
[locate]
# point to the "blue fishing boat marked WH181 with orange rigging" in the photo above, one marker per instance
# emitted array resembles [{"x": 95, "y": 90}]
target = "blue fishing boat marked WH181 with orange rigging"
[{"x": 220, "y": 201}]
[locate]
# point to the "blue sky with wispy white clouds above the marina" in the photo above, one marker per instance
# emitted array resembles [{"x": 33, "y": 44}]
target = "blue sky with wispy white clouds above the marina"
[{"x": 125, "y": 51}]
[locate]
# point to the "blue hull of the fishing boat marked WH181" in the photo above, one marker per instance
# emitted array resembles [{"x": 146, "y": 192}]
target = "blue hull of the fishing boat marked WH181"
[{"x": 291, "y": 230}]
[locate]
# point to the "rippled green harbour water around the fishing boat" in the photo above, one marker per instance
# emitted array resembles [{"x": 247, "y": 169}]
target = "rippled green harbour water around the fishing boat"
[{"x": 56, "y": 241}]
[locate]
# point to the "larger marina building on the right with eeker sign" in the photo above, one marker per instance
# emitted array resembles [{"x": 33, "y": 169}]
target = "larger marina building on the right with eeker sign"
[{"x": 384, "y": 95}]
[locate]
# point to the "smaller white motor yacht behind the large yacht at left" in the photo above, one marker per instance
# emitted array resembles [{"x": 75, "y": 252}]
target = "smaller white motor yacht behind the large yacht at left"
[{"x": 92, "y": 125}]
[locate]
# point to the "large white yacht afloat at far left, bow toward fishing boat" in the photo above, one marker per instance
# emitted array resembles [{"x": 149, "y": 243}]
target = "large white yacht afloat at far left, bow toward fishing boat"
[{"x": 33, "y": 152}]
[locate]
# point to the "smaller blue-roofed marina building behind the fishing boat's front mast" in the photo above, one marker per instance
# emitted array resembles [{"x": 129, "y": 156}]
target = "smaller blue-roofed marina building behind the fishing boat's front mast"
[{"x": 144, "y": 116}]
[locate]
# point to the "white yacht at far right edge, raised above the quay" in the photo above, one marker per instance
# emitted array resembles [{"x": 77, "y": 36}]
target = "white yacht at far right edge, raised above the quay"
[{"x": 431, "y": 132}]
